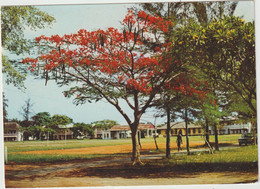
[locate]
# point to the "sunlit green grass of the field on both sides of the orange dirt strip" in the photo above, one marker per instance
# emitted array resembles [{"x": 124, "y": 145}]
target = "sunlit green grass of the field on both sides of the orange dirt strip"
[{"x": 16, "y": 149}]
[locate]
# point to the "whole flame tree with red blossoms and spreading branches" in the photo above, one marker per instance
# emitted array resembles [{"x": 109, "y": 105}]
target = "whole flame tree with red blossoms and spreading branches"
[{"x": 134, "y": 65}]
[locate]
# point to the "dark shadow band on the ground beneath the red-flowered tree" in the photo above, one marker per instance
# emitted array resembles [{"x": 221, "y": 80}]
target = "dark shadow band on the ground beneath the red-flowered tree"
[{"x": 163, "y": 171}]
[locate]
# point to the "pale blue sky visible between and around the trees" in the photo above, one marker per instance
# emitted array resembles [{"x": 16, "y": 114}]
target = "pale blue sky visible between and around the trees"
[{"x": 69, "y": 19}]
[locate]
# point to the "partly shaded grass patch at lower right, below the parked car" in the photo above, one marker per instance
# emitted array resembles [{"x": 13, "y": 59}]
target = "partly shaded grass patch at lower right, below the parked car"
[{"x": 242, "y": 159}]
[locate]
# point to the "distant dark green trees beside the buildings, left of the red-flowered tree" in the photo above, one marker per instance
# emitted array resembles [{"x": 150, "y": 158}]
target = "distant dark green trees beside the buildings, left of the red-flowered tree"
[{"x": 42, "y": 125}]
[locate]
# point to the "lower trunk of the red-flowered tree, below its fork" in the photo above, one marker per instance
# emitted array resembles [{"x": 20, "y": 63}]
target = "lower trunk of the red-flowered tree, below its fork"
[{"x": 136, "y": 149}]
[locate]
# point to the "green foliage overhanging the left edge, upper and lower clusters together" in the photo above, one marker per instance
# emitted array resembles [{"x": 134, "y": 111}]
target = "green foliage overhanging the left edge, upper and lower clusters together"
[{"x": 14, "y": 20}]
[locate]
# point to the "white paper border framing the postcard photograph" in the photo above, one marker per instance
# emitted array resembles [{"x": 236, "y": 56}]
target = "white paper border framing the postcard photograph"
[{"x": 67, "y": 2}]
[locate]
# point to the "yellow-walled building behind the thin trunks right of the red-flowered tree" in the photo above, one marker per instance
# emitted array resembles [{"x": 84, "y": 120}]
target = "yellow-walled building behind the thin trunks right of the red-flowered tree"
[{"x": 177, "y": 127}]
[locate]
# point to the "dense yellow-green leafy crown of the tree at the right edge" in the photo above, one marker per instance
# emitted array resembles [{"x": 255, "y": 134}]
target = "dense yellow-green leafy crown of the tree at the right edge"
[{"x": 224, "y": 50}]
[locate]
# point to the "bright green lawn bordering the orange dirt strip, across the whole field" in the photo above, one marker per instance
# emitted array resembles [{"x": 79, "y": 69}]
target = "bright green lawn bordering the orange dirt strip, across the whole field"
[{"x": 72, "y": 144}]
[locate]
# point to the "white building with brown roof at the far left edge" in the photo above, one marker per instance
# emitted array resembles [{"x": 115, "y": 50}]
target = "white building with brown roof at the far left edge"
[{"x": 12, "y": 132}]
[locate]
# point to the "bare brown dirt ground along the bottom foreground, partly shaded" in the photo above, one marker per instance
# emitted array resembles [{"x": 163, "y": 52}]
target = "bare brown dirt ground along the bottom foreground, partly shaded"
[{"x": 126, "y": 175}]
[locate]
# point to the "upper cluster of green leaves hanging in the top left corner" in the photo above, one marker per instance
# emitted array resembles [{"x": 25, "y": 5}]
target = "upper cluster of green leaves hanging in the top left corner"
[{"x": 14, "y": 20}]
